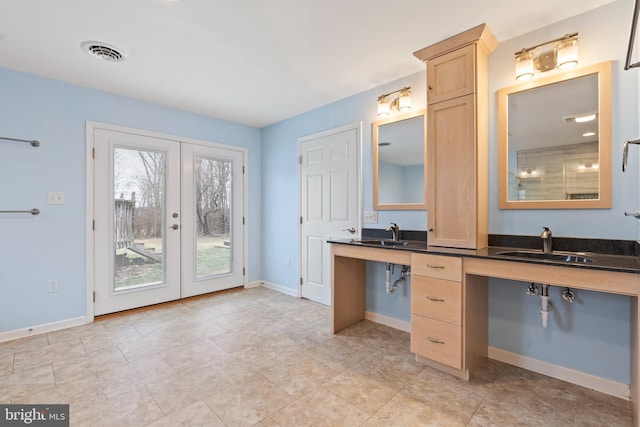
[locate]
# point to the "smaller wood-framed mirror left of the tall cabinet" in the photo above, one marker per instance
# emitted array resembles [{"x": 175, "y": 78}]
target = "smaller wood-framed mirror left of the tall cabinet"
[{"x": 398, "y": 150}]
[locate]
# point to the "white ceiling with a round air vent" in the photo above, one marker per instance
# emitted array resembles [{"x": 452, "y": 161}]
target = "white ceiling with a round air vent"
[{"x": 254, "y": 62}]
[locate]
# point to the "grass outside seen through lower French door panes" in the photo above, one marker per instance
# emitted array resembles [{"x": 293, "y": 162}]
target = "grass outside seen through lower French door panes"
[{"x": 213, "y": 257}]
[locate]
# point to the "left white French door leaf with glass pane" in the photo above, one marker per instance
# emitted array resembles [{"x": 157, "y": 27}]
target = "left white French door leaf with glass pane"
[{"x": 137, "y": 220}]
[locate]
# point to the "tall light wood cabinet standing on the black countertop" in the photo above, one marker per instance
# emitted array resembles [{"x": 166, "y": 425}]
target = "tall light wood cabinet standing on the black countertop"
[{"x": 457, "y": 138}]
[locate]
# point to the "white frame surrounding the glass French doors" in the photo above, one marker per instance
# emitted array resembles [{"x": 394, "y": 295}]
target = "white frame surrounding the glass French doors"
[{"x": 89, "y": 197}]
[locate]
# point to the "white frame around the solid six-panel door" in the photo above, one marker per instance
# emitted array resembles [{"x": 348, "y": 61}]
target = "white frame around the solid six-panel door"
[{"x": 357, "y": 126}]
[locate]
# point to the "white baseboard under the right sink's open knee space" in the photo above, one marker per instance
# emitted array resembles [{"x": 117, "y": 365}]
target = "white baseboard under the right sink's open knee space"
[{"x": 582, "y": 379}]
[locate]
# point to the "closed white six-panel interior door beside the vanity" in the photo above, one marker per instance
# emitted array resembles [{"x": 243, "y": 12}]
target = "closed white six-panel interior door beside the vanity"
[{"x": 329, "y": 204}]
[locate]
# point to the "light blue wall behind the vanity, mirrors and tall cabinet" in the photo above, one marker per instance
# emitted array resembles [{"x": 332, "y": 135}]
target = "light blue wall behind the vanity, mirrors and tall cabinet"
[{"x": 578, "y": 334}]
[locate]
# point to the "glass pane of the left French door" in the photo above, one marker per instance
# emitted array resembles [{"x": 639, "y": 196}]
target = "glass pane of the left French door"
[{"x": 139, "y": 187}]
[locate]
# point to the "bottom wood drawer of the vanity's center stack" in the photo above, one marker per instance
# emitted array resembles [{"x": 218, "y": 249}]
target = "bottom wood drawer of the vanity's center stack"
[{"x": 437, "y": 341}]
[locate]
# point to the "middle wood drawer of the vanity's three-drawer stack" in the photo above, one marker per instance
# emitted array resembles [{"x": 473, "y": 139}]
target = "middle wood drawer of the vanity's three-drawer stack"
[{"x": 436, "y": 298}]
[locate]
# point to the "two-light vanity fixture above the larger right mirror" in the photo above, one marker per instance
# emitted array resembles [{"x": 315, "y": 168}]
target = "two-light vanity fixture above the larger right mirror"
[{"x": 563, "y": 55}]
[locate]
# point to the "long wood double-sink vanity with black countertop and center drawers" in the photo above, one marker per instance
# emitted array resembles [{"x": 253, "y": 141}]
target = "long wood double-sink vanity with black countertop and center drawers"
[{"x": 449, "y": 299}]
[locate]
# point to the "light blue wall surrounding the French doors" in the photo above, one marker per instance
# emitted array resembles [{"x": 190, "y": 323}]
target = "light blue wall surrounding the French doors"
[{"x": 52, "y": 245}]
